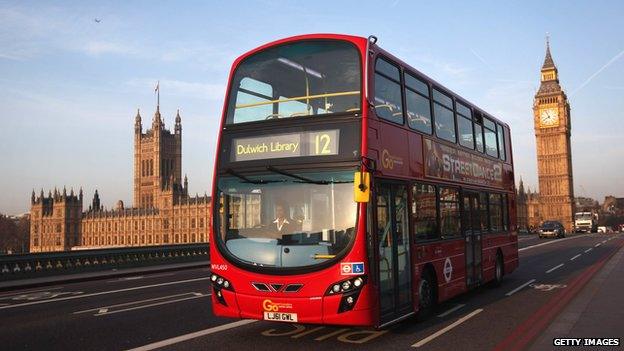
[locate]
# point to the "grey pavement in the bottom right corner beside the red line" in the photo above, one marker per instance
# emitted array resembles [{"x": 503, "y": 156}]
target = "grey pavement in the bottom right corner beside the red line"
[{"x": 596, "y": 312}]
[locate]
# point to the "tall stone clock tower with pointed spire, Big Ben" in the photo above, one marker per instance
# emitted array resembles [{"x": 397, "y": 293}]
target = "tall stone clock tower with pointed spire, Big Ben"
[{"x": 551, "y": 112}]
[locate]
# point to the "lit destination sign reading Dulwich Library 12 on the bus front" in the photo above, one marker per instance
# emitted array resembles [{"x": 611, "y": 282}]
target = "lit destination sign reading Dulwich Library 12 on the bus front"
[{"x": 312, "y": 143}]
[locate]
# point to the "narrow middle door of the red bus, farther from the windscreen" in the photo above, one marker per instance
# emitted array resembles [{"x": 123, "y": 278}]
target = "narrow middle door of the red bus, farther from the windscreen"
[{"x": 471, "y": 225}]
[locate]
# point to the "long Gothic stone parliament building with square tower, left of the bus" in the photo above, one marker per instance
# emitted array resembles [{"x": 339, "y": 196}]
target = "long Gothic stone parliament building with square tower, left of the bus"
[{"x": 163, "y": 212}]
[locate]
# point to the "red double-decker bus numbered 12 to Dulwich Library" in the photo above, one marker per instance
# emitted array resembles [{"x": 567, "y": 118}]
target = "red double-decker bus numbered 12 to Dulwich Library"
[{"x": 350, "y": 188}]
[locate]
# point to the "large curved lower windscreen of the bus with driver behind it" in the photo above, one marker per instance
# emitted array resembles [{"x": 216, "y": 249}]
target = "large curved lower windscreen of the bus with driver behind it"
[{"x": 286, "y": 220}]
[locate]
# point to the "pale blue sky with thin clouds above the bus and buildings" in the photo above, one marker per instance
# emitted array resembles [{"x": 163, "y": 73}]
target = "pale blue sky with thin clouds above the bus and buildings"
[{"x": 70, "y": 87}]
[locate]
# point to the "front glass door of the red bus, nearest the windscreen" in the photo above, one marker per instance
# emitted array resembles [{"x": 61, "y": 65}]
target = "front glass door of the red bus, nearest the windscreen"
[{"x": 393, "y": 246}]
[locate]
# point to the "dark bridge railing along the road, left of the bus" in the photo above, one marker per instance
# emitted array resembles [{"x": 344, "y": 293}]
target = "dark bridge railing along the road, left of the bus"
[{"x": 25, "y": 266}]
